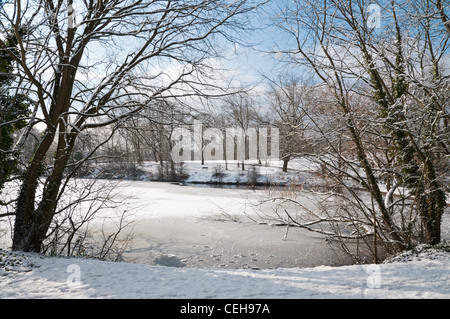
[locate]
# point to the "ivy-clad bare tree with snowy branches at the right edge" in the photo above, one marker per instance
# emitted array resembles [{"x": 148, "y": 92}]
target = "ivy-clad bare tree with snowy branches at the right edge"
[{"x": 385, "y": 89}]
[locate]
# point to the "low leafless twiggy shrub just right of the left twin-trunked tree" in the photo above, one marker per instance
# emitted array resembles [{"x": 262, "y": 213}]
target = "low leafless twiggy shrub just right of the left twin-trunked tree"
[{"x": 89, "y": 221}]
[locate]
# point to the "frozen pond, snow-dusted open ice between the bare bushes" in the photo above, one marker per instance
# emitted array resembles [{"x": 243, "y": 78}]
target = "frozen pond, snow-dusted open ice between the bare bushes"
[{"x": 201, "y": 227}]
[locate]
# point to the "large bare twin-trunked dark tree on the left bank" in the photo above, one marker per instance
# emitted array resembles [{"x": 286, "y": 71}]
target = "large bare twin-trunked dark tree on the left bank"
[{"x": 93, "y": 64}]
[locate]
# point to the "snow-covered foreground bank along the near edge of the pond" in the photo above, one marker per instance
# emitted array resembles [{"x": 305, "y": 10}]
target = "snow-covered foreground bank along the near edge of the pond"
[{"x": 426, "y": 275}]
